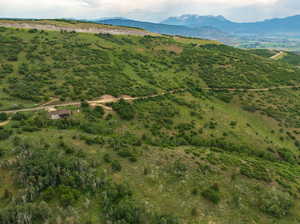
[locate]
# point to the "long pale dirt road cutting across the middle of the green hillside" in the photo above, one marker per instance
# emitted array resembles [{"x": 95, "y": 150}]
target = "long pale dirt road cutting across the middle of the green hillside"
[{"x": 128, "y": 98}]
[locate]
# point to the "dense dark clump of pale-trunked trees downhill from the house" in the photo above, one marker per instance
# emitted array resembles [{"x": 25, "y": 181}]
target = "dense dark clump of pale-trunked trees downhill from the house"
[{"x": 51, "y": 170}]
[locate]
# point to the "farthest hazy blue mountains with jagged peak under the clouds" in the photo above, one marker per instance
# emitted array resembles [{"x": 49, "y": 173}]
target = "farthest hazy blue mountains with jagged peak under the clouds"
[{"x": 288, "y": 25}]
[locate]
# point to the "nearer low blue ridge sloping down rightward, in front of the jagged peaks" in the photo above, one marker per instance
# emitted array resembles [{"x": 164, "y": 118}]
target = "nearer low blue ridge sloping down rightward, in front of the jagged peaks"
[{"x": 205, "y": 32}]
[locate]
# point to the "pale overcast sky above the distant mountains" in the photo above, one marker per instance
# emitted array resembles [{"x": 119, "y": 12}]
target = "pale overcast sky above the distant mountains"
[{"x": 150, "y": 10}]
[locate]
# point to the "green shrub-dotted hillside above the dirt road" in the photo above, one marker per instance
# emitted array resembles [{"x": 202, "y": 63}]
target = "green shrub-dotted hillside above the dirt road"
[{"x": 38, "y": 65}]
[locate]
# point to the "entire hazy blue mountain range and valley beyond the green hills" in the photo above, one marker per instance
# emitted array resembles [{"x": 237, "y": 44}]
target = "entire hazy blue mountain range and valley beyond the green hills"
[{"x": 217, "y": 28}]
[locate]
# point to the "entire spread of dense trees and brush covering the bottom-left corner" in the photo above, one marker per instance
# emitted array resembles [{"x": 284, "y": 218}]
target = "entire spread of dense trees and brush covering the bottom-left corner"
[{"x": 62, "y": 173}]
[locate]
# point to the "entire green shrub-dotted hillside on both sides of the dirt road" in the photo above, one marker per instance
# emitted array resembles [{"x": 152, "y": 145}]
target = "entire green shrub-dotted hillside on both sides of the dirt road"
[{"x": 194, "y": 156}]
